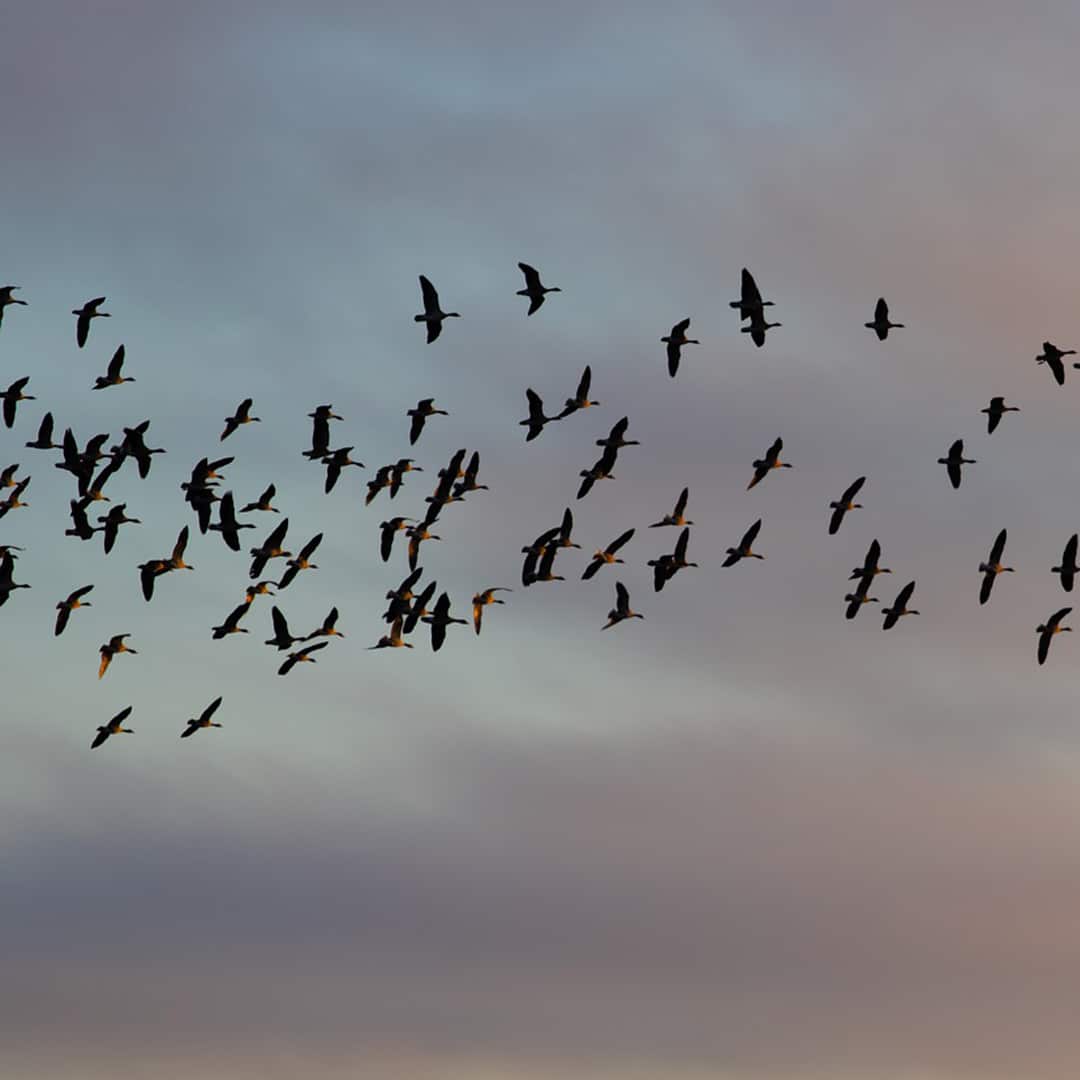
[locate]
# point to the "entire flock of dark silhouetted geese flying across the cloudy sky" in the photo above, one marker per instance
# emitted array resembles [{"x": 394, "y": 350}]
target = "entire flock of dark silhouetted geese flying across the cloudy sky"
[{"x": 92, "y": 467}]
